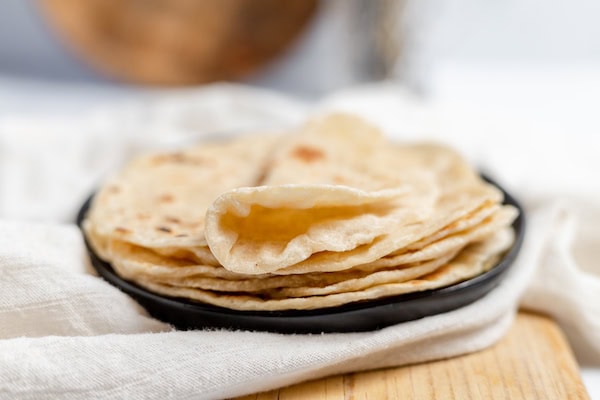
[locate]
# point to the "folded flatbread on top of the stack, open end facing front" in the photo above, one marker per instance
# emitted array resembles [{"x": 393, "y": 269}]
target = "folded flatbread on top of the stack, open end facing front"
[{"x": 340, "y": 211}]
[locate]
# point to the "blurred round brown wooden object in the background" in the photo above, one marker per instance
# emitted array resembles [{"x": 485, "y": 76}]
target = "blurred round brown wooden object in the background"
[{"x": 178, "y": 42}]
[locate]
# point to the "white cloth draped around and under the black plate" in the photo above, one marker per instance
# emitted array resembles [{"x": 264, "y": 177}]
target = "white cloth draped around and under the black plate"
[{"x": 65, "y": 333}]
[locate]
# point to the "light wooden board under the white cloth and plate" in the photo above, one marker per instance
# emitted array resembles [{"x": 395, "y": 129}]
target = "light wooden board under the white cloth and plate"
[{"x": 533, "y": 361}]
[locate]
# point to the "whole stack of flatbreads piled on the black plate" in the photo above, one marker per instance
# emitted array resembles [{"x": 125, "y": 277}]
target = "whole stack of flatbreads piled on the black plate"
[{"x": 329, "y": 214}]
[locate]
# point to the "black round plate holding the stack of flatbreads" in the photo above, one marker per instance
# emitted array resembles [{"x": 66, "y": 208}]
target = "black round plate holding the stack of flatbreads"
[{"x": 354, "y": 317}]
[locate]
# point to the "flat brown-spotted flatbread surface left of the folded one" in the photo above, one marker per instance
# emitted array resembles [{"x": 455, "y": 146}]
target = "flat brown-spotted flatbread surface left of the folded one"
[{"x": 160, "y": 200}]
